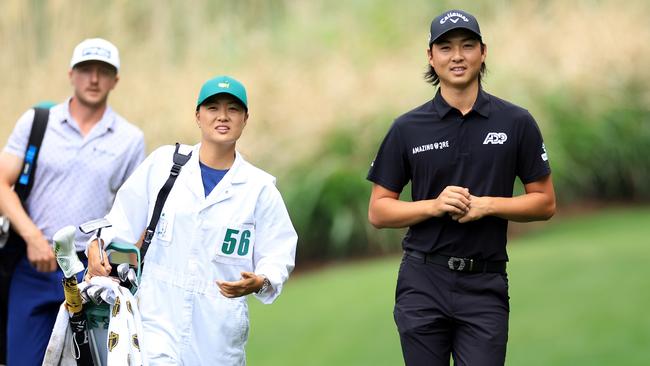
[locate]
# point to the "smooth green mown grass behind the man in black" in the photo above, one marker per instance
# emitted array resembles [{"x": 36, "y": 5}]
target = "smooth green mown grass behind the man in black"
[{"x": 579, "y": 288}]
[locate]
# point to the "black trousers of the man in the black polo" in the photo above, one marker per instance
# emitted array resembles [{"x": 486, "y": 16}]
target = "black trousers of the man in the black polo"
[{"x": 442, "y": 313}]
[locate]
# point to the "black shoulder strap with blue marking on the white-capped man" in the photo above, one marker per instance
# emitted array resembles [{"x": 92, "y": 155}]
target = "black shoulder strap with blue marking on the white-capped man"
[{"x": 26, "y": 179}]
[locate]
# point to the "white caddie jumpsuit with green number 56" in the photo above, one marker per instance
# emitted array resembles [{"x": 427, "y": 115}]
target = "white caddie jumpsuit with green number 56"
[{"x": 243, "y": 225}]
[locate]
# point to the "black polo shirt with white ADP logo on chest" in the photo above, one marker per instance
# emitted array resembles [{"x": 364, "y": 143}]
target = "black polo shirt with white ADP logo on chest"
[{"x": 435, "y": 146}]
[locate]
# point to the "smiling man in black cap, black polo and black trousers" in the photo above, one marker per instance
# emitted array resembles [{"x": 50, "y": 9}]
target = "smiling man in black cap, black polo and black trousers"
[{"x": 462, "y": 151}]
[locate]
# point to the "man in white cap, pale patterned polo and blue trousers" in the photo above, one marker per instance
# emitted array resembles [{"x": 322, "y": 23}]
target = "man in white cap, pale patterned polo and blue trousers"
[{"x": 87, "y": 152}]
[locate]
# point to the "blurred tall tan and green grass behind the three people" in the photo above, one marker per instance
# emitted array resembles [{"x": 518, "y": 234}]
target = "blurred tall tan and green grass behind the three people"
[{"x": 326, "y": 79}]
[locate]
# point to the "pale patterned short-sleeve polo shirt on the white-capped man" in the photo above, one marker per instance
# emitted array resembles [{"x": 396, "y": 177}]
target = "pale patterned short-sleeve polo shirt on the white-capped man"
[{"x": 77, "y": 176}]
